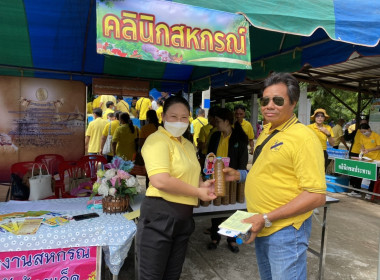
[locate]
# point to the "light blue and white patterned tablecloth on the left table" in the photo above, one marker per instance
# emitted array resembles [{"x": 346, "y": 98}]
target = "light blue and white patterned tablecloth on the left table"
[{"x": 113, "y": 232}]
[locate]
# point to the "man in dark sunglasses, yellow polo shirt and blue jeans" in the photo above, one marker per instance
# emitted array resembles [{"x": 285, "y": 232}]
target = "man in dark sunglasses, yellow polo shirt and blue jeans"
[{"x": 284, "y": 185}]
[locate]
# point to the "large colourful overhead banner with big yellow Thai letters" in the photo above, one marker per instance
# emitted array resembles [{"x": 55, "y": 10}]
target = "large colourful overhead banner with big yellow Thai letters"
[{"x": 172, "y": 33}]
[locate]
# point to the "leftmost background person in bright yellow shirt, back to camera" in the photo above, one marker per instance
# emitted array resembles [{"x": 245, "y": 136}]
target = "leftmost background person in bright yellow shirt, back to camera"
[{"x": 94, "y": 133}]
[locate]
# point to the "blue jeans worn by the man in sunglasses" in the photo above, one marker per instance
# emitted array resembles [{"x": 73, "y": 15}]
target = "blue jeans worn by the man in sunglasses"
[{"x": 282, "y": 255}]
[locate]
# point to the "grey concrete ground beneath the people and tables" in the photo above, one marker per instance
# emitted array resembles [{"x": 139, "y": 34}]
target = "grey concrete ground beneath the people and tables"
[{"x": 352, "y": 247}]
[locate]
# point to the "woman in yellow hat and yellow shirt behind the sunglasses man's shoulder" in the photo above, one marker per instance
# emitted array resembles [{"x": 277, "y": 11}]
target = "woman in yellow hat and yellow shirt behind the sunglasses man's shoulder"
[{"x": 323, "y": 131}]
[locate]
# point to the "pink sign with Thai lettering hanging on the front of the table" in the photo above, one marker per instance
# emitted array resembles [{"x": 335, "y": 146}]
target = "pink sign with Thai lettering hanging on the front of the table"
[{"x": 66, "y": 263}]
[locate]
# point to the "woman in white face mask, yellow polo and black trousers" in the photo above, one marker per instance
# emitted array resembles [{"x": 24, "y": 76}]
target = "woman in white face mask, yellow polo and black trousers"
[{"x": 166, "y": 222}]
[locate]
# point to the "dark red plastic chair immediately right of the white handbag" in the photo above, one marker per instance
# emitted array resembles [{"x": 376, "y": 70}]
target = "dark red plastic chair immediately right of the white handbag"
[{"x": 70, "y": 168}]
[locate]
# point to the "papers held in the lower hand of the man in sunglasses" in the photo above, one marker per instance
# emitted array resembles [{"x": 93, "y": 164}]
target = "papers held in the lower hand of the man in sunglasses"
[{"x": 234, "y": 226}]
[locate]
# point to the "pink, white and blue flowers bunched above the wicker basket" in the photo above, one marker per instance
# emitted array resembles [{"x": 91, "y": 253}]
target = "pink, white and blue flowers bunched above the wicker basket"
[{"x": 115, "y": 180}]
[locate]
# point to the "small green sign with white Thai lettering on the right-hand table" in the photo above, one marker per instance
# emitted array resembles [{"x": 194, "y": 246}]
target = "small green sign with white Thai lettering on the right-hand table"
[{"x": 355, "y": 168}]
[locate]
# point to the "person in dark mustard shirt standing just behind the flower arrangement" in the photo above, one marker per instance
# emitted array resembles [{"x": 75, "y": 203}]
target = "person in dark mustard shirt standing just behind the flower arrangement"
[{"x": 124, "y": 141}]
